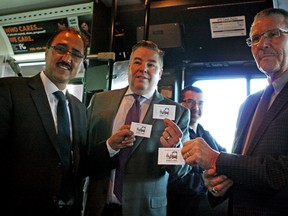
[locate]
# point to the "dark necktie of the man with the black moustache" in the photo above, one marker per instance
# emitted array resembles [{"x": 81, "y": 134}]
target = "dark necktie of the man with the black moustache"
[{"x": 64, "y": 142}]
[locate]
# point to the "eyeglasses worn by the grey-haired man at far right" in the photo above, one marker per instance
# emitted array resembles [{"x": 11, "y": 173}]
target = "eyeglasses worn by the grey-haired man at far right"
[{"x": 255, "y": 39}]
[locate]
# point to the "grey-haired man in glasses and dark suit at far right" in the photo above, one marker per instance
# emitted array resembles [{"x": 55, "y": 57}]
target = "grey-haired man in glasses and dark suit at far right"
[{"x": 255, "y": 175}]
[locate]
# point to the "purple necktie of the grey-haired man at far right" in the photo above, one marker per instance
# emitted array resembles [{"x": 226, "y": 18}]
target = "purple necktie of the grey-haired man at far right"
[{"x": 259, "y": 115}]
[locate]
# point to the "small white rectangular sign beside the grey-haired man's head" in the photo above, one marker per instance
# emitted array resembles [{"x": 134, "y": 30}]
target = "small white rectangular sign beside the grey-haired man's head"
[{"x": 228, "y": 27}]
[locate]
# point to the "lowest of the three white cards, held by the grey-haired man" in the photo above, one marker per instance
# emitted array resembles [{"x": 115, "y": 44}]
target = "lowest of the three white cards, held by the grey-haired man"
[{"x": 170, "y": 156}]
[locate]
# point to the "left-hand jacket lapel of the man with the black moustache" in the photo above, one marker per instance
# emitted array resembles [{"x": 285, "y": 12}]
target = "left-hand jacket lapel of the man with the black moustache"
[{"x": 39, "y": 97}]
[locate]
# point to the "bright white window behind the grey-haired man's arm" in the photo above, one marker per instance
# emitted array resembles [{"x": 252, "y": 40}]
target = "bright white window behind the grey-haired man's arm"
[{"x": 222, "y": 100}]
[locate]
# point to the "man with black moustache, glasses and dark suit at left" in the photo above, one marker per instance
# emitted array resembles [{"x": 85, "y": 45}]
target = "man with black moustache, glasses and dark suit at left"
[{"x": 32, "y": 161}]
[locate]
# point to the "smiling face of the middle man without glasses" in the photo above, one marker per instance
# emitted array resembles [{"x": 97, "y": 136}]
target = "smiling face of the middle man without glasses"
[{"x": 144, "y": 70}]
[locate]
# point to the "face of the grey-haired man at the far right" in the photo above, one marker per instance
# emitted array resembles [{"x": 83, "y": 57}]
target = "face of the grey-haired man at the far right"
[{"x": 271, "y": 55}]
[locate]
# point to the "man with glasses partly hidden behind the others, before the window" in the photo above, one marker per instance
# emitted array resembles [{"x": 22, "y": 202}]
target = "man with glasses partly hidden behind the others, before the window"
[{"x": 188, "y": 195}]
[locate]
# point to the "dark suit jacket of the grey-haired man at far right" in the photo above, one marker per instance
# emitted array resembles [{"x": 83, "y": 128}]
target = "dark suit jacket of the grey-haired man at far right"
[{"x": 261, "y": 176}]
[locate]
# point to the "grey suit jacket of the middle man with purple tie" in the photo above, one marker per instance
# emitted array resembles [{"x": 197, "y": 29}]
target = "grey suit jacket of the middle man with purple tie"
[{"x": 145, "y": 182}]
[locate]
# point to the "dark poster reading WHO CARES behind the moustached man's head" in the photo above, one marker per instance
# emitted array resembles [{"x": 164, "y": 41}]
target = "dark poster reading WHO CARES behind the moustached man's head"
[{"x": 32, "y": 37}]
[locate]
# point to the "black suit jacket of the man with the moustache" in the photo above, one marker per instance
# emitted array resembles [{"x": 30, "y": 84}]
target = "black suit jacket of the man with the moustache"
[{"x": 30, "y": 161}]
